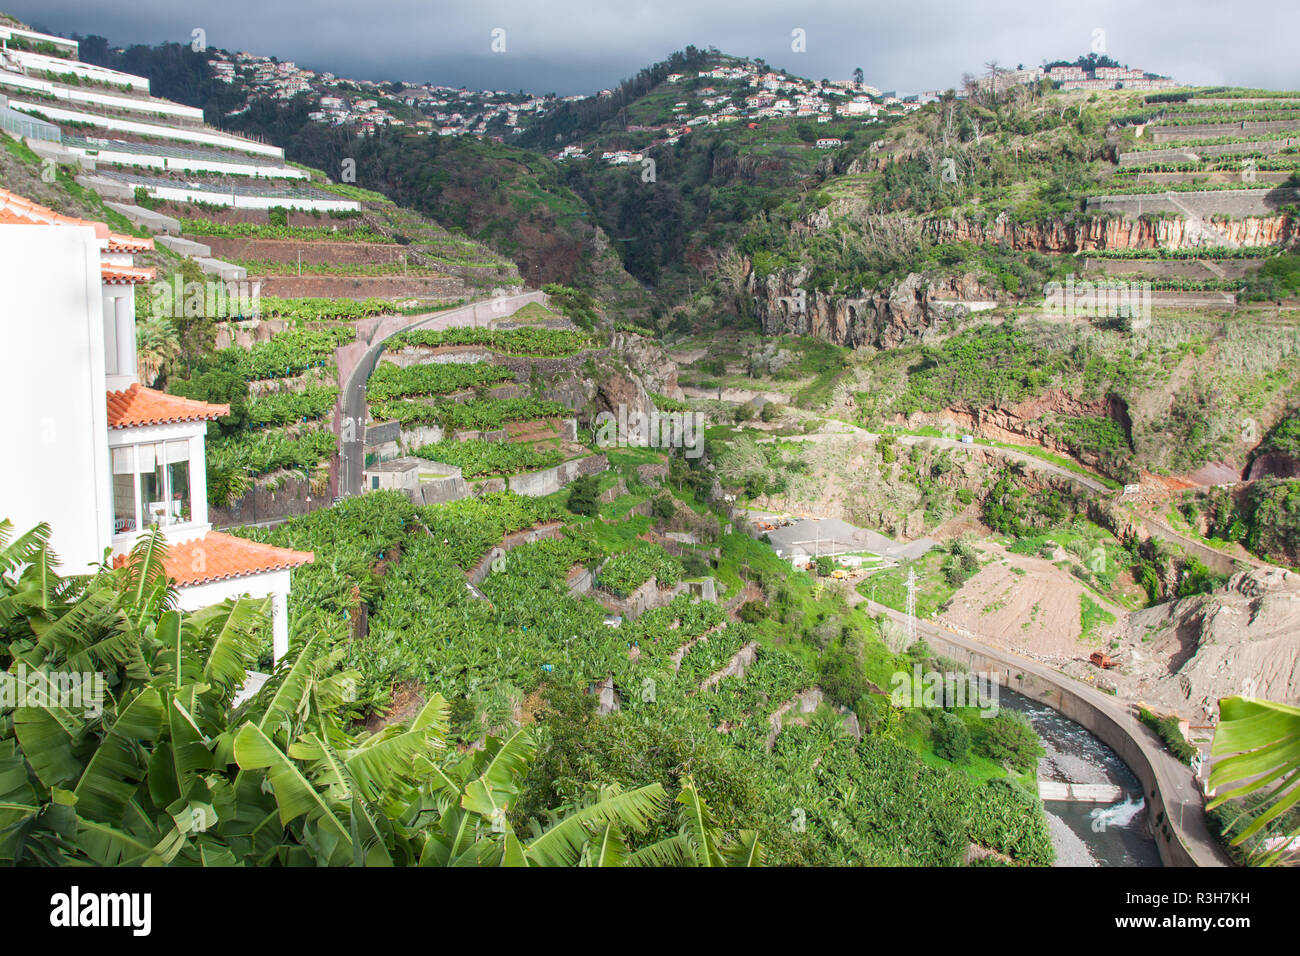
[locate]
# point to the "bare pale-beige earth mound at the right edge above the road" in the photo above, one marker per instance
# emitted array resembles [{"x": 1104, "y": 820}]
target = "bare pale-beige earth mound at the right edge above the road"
[{"x": 1241, "y": 641}]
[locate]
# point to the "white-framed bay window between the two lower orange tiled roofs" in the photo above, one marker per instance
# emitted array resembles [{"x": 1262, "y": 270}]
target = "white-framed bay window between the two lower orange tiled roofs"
[{"x": 151, "y": 486}]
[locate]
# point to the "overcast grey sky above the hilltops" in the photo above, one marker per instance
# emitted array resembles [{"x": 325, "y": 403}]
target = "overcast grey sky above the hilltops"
[{"x": 579, "y": 47}]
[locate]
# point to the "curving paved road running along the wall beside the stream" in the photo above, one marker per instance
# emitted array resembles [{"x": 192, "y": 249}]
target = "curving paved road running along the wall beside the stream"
[{"x": 1184, "y": 802}]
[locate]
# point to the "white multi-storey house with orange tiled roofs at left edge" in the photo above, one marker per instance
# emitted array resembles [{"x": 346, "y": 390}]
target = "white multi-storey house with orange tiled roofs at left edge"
[{"x": 107, "y": 460}]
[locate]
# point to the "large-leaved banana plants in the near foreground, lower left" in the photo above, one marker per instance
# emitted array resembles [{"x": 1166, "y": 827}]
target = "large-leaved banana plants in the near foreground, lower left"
[{"x": 168, "y": 771}]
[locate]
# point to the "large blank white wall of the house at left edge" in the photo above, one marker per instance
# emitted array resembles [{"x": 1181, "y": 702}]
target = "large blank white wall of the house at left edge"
[{"x": 54, "y": 431}]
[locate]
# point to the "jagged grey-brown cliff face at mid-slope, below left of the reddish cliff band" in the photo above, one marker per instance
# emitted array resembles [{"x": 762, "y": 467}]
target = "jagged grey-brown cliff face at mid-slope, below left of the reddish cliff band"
[{"x": 912, "y": 312}]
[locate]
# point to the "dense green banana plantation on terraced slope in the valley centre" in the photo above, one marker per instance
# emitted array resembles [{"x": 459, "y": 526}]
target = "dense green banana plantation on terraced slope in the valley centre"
[{"x": 405, "y": 564}]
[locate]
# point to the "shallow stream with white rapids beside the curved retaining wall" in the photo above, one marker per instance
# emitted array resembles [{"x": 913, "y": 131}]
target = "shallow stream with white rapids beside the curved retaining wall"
[{"x": 1087, "y": 834}]
